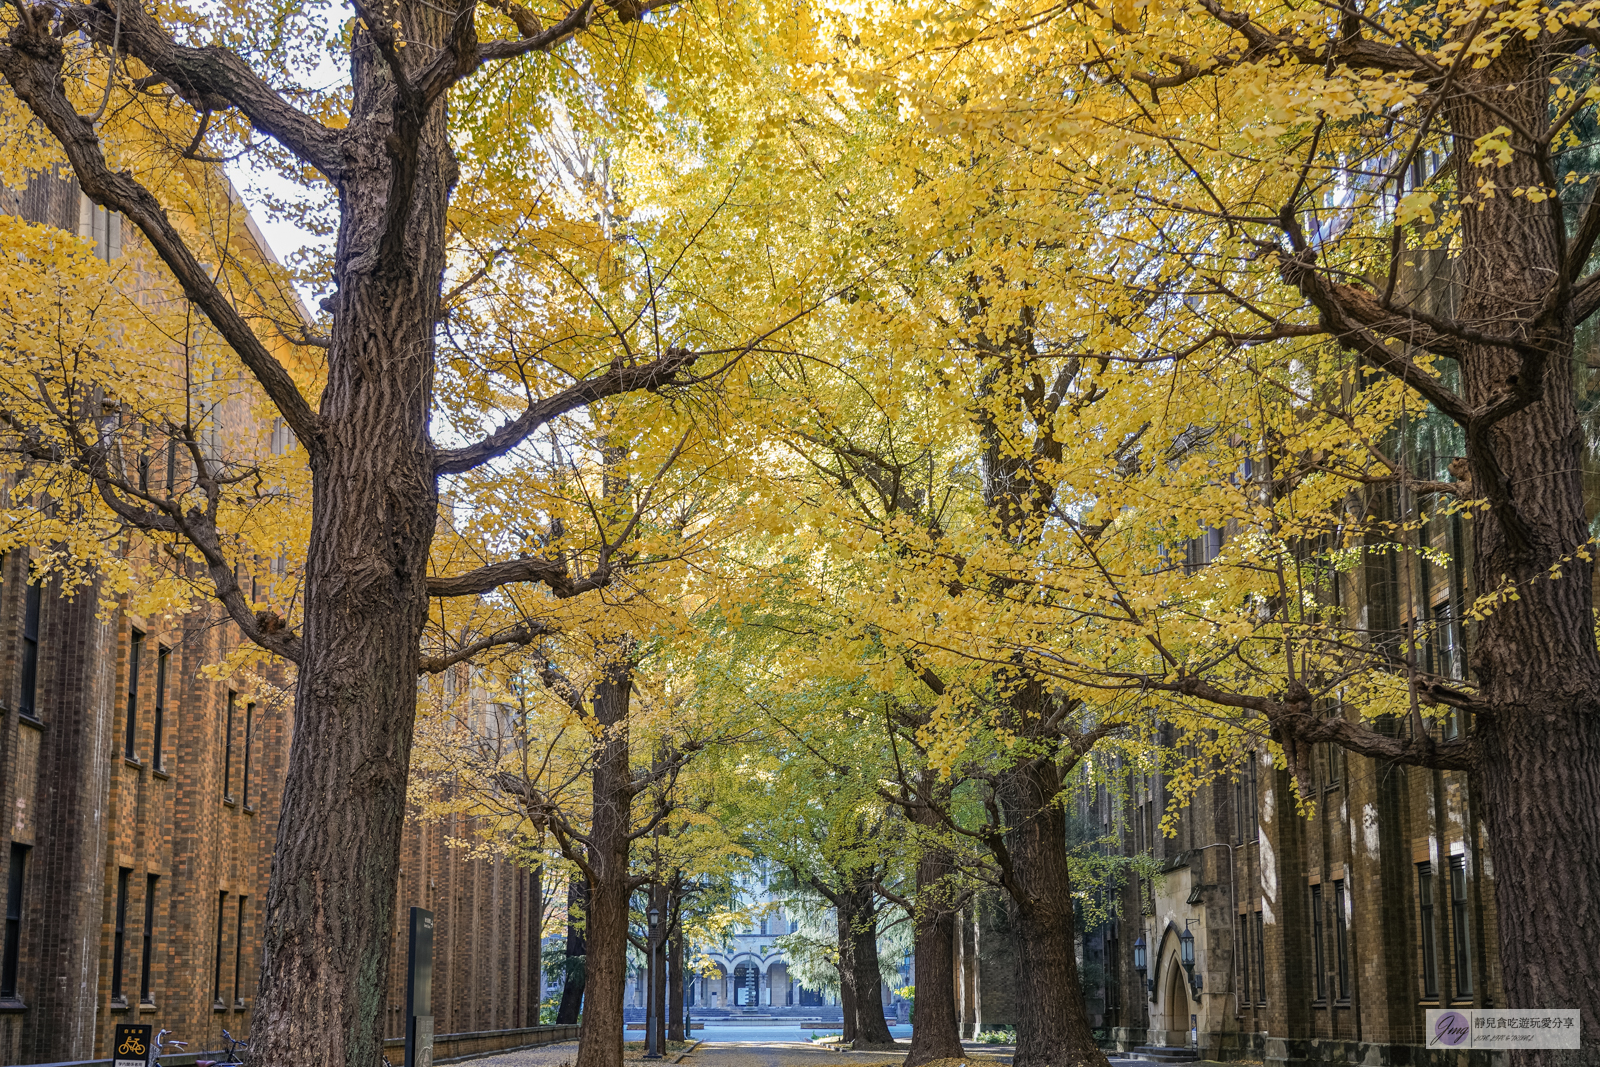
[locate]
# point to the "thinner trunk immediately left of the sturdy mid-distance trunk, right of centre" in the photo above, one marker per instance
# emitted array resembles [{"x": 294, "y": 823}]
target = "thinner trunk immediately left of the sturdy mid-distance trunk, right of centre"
[{"x": 937, "y": 1028}]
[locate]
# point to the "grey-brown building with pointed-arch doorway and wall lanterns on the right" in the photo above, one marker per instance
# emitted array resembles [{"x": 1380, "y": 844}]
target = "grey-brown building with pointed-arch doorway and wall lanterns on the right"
[{"x": 1311, "y": 940}]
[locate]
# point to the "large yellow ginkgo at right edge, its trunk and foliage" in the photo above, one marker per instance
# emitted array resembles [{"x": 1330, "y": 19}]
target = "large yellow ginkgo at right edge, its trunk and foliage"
[{"x": 1279, "y": 233}]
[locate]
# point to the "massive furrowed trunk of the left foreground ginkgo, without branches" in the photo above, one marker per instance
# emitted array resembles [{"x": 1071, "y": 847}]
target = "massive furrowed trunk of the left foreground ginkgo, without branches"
[{"x": 375, "y": 506}]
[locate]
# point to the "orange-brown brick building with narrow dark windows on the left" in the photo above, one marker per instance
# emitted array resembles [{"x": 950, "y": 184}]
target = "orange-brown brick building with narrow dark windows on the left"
[{"x": 142, "y": 802}]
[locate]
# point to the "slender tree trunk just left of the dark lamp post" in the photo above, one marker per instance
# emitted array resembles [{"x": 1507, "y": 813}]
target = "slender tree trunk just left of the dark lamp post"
[{"x": 601, "y": 1042}]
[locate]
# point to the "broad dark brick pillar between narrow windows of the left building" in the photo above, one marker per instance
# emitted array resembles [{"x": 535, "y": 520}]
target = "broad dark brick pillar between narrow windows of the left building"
[{"x": 60, "y": 973}]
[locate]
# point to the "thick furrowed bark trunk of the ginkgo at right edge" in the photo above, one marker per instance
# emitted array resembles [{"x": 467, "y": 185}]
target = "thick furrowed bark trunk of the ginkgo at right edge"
[{"x": 1535, "y": 658}]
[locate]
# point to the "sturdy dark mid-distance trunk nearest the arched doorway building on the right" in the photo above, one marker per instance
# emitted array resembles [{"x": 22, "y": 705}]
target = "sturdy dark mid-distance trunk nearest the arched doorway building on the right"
[{"x": 1054, "y": 1029}]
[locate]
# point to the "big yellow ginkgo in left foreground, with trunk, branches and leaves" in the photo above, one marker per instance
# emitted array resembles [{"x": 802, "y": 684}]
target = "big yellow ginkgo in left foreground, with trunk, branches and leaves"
[{"x": 124, "y": 97}]
